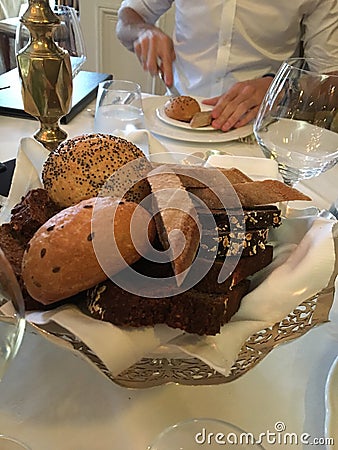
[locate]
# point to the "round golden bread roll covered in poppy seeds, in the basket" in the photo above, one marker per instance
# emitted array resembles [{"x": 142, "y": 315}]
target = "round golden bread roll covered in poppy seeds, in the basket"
[{"x": 80, "y": 167}]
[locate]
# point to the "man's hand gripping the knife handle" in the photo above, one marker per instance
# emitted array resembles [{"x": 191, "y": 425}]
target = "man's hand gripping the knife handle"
[{"x": 155, "y": 51}]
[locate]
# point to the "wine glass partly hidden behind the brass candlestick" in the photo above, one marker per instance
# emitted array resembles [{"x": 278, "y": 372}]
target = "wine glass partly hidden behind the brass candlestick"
[{"x": 67, "y": 35}]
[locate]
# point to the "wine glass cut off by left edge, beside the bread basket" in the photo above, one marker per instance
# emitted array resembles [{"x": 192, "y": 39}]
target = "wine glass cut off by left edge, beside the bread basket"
[{"x": 12, "y": 326}]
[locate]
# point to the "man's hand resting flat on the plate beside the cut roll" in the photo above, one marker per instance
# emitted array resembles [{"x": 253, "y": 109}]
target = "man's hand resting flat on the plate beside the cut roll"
[{"x": 239, "y": 105}]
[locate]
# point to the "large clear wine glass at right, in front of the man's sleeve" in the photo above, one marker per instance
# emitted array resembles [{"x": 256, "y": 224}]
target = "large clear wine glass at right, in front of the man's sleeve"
[{"x": 297, "y": 124}]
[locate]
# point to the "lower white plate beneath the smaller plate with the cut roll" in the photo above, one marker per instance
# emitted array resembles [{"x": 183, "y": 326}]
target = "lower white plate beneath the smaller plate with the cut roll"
[{"x": 157, "y": 126}]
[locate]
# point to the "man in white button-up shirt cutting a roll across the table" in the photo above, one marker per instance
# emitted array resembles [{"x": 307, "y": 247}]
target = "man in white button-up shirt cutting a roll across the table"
[{"x": 228, "y": 50}]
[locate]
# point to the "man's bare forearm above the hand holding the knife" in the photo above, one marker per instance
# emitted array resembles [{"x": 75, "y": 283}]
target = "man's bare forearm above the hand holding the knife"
[{"x": 129, "y": 27}]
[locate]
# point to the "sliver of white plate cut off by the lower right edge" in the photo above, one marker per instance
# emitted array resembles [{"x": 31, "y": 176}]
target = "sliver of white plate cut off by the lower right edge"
[{"x": 331, "y": 404}]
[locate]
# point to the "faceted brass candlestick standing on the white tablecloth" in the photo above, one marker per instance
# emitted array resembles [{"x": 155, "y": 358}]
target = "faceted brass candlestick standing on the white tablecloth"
[{"x": 46, "y": 74}]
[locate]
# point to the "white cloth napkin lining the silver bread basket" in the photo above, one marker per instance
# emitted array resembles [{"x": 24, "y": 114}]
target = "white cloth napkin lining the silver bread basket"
[{"x": 303, "y": 264}]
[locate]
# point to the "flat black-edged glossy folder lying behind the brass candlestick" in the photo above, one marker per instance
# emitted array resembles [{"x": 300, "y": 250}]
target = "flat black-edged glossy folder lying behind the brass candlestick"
[{"x": 85, "y": 86}]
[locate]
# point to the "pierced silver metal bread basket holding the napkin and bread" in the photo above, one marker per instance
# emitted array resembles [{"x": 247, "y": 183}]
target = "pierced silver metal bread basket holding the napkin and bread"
[{"x": 158, "y": 370}]
